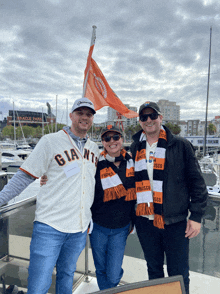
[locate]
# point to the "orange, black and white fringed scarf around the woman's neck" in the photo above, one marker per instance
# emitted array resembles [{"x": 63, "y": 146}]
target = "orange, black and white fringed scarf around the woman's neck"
[{"x": 111, "y": 182}]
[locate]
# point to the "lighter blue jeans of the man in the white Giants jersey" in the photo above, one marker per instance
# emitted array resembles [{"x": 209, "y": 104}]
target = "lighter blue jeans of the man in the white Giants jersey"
[{"x": 48, "y": 248}]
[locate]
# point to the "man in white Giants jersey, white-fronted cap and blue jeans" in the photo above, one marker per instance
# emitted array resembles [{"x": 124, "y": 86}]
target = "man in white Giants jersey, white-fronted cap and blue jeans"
[{"x": 62, "y": 216}]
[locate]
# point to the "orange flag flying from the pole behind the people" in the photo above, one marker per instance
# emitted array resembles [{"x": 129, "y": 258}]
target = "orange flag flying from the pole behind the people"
[{"x": 99, "y": 91}]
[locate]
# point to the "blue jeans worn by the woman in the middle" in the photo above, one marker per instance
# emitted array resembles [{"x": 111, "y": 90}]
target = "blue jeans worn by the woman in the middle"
[{"x": 108, "y": 246}]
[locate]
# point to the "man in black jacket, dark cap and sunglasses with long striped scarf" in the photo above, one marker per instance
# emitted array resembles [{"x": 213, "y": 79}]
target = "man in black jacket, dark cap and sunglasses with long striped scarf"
[{"x": 170, "y": 188}]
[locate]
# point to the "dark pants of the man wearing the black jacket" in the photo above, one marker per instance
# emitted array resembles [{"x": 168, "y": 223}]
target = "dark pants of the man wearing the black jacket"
[{"x": 170, "y": 241}]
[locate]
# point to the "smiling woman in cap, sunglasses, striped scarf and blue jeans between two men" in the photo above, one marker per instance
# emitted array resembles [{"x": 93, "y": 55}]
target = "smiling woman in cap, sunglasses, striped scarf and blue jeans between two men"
[{"x": 113, "y": 210}]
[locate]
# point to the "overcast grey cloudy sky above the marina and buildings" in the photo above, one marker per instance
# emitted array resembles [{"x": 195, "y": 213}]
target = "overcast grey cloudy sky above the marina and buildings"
[{"x": 147, "y": 50}]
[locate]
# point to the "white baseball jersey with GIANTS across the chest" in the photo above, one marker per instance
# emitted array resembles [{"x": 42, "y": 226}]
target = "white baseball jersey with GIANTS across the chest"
[{"x": 64, "y": 202}]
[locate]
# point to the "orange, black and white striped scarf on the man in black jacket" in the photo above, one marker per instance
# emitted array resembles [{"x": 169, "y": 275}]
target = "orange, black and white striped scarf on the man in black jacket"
[{"x": 148, "y": 204}]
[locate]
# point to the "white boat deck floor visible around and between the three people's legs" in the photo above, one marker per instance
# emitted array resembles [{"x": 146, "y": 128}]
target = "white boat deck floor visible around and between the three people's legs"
[{"x": 135, "y": 271}]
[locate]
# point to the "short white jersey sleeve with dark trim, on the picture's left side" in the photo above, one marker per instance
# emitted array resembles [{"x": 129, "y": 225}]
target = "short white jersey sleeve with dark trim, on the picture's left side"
[{"x": 40, "y": 158}]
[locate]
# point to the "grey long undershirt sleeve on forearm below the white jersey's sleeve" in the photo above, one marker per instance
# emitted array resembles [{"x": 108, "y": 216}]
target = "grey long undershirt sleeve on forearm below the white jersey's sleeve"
[{"x": 15, "y": 186}]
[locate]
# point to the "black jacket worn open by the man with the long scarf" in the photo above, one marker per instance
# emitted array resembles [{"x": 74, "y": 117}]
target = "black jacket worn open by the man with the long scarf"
[{"x": 184, "y": 188}]
